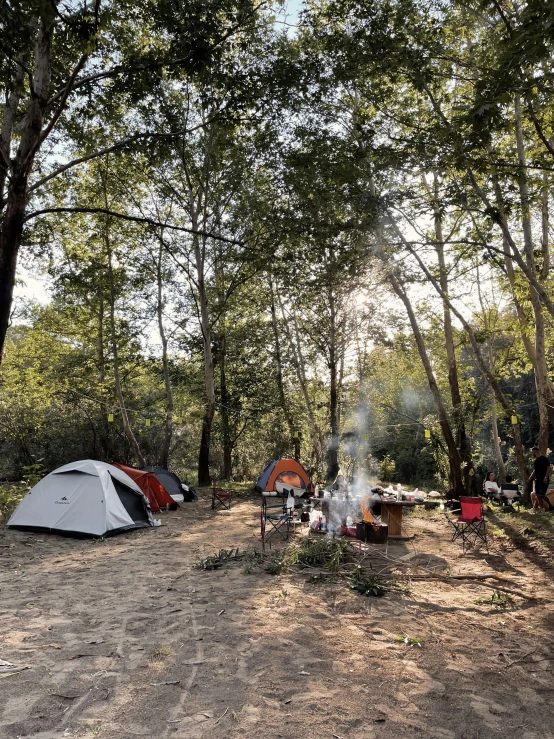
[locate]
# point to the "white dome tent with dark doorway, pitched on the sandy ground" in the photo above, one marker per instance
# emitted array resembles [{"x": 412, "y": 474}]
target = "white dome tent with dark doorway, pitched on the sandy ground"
[{"x": 85, "y": 498}]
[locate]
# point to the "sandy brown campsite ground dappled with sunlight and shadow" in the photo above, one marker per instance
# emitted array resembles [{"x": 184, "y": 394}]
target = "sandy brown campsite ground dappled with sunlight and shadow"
[{"x": 125, "y": 638}]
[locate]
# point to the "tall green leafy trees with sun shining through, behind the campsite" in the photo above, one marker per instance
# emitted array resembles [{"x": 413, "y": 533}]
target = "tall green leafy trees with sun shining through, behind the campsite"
[{"x": 331, "y": 241}]
